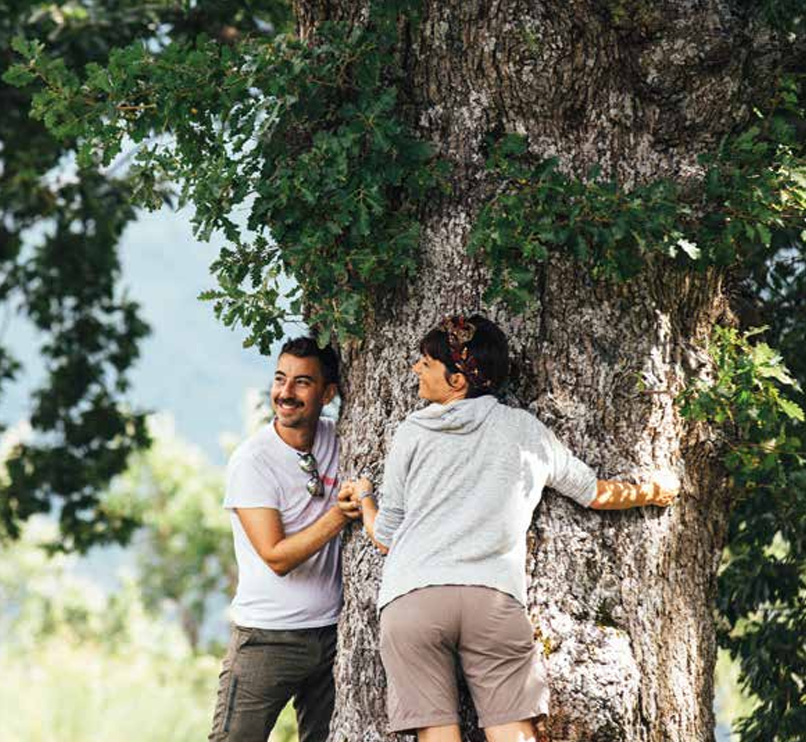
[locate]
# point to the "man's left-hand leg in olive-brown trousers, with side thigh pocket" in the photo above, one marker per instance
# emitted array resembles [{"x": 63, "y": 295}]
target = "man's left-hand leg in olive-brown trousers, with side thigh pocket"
[{"x": 254, "y": 687}]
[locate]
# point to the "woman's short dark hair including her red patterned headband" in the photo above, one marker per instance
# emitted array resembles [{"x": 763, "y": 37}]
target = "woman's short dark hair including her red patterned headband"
[{"x": 483, "y": 359}]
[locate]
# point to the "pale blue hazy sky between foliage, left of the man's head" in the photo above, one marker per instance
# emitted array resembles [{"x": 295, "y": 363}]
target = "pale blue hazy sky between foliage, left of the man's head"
[{"x": 191, "y": 366}]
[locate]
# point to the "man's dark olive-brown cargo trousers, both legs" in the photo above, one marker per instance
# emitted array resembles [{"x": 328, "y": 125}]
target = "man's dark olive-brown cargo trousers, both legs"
[{"x": 262, "y": 670}]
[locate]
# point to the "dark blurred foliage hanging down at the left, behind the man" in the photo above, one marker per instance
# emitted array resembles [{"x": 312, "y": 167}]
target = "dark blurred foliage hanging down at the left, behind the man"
[{"x": 67, "y": 286}]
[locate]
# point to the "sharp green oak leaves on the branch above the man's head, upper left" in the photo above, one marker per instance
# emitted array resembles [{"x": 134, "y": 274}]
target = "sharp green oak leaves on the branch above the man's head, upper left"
[{"x": 307, "y": 131}]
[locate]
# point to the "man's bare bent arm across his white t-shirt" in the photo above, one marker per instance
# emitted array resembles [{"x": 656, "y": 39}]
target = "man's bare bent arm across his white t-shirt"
[{"x": 264, "y": 529}]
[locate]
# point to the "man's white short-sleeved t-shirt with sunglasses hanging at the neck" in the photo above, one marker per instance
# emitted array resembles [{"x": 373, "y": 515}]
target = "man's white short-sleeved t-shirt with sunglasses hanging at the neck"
[{"x": 264, "y": 472}]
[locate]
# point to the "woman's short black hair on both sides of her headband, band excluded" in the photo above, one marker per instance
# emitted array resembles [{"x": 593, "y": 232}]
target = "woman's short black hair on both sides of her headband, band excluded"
[{"x": 488, "y": 347}]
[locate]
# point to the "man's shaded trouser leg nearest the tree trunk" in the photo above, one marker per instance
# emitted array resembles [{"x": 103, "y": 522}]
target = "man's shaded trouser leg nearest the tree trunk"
[{"x": 315, "y": 698}]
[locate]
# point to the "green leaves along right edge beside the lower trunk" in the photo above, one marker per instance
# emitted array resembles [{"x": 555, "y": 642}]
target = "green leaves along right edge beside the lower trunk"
[{"x": 762, "y": 586}]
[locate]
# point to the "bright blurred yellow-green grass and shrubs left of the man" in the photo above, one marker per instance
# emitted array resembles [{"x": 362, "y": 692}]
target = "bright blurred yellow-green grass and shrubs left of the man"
[{"x": 137, "y": 659}]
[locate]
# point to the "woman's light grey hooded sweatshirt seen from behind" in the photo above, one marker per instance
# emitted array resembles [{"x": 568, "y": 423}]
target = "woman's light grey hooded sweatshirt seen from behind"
[{"x": 459, "y": 487}]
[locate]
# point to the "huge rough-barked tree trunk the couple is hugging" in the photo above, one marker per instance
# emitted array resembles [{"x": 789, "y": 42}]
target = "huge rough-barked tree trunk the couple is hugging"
[{"x": 624, "y": 600}]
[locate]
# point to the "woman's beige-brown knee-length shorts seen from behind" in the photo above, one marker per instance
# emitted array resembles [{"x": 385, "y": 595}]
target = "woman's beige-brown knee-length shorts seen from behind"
[{"x": 428, "y": 634}]
